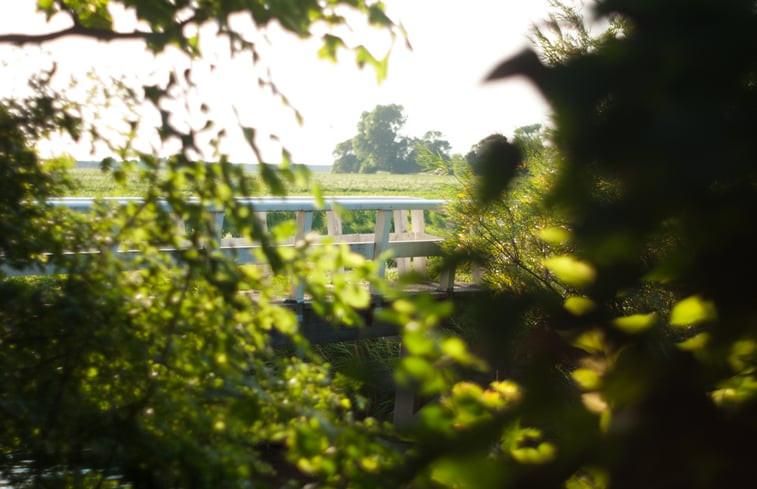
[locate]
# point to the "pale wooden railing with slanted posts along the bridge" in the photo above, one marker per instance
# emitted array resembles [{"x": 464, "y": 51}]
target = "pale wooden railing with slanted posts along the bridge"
[{"x": 409, "y": 243}]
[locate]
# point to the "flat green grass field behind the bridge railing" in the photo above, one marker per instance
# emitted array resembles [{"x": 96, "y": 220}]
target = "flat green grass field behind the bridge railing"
[{"x": 95, "y": 183}]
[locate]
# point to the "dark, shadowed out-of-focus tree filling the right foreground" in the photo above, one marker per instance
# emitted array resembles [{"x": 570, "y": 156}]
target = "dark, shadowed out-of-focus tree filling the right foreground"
[{"x": 656, "y": 182}]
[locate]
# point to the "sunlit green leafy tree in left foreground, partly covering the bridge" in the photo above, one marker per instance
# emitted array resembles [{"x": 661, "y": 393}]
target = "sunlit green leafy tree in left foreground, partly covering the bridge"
[{"x": 161, "y": 371}]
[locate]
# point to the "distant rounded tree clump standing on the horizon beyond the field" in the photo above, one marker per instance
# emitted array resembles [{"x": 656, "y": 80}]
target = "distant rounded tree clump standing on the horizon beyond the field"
[{"x": 378, "y": 145}]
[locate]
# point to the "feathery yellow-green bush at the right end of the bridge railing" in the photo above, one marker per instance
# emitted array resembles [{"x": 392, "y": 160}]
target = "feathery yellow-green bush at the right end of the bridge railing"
[{"x": 504, "y": 236}]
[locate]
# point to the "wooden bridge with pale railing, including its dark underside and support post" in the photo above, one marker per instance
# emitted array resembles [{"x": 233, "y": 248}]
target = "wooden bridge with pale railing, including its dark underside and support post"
[{"x": 399, "y": 228}]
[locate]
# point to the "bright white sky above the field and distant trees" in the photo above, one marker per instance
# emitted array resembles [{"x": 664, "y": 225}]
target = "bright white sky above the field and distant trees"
[{"x": 439, "y": 83}]
